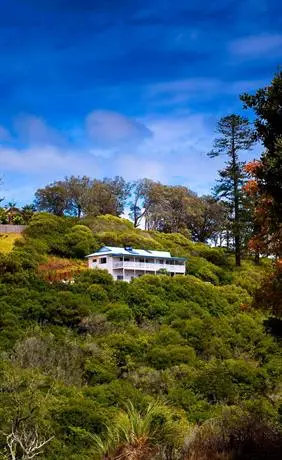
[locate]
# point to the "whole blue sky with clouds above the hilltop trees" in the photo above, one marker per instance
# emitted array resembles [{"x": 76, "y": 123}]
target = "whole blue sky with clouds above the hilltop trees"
[{"x": 125, "y": 87}]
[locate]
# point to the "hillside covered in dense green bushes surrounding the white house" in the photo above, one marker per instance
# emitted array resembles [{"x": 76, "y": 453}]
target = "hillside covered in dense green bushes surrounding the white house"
[{"x": 160, "y": 368}]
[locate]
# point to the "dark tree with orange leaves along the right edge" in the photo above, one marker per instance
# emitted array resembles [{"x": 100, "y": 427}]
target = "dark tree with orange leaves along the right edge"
[{"x": 266, "y": 185}]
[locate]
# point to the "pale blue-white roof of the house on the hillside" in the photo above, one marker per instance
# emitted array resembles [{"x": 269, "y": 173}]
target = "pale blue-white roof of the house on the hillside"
[{"x": 128, "y": 251}]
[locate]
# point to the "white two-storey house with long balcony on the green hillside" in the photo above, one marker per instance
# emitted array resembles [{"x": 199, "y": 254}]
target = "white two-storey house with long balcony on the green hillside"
[{"x": 128, "y": 263}]
